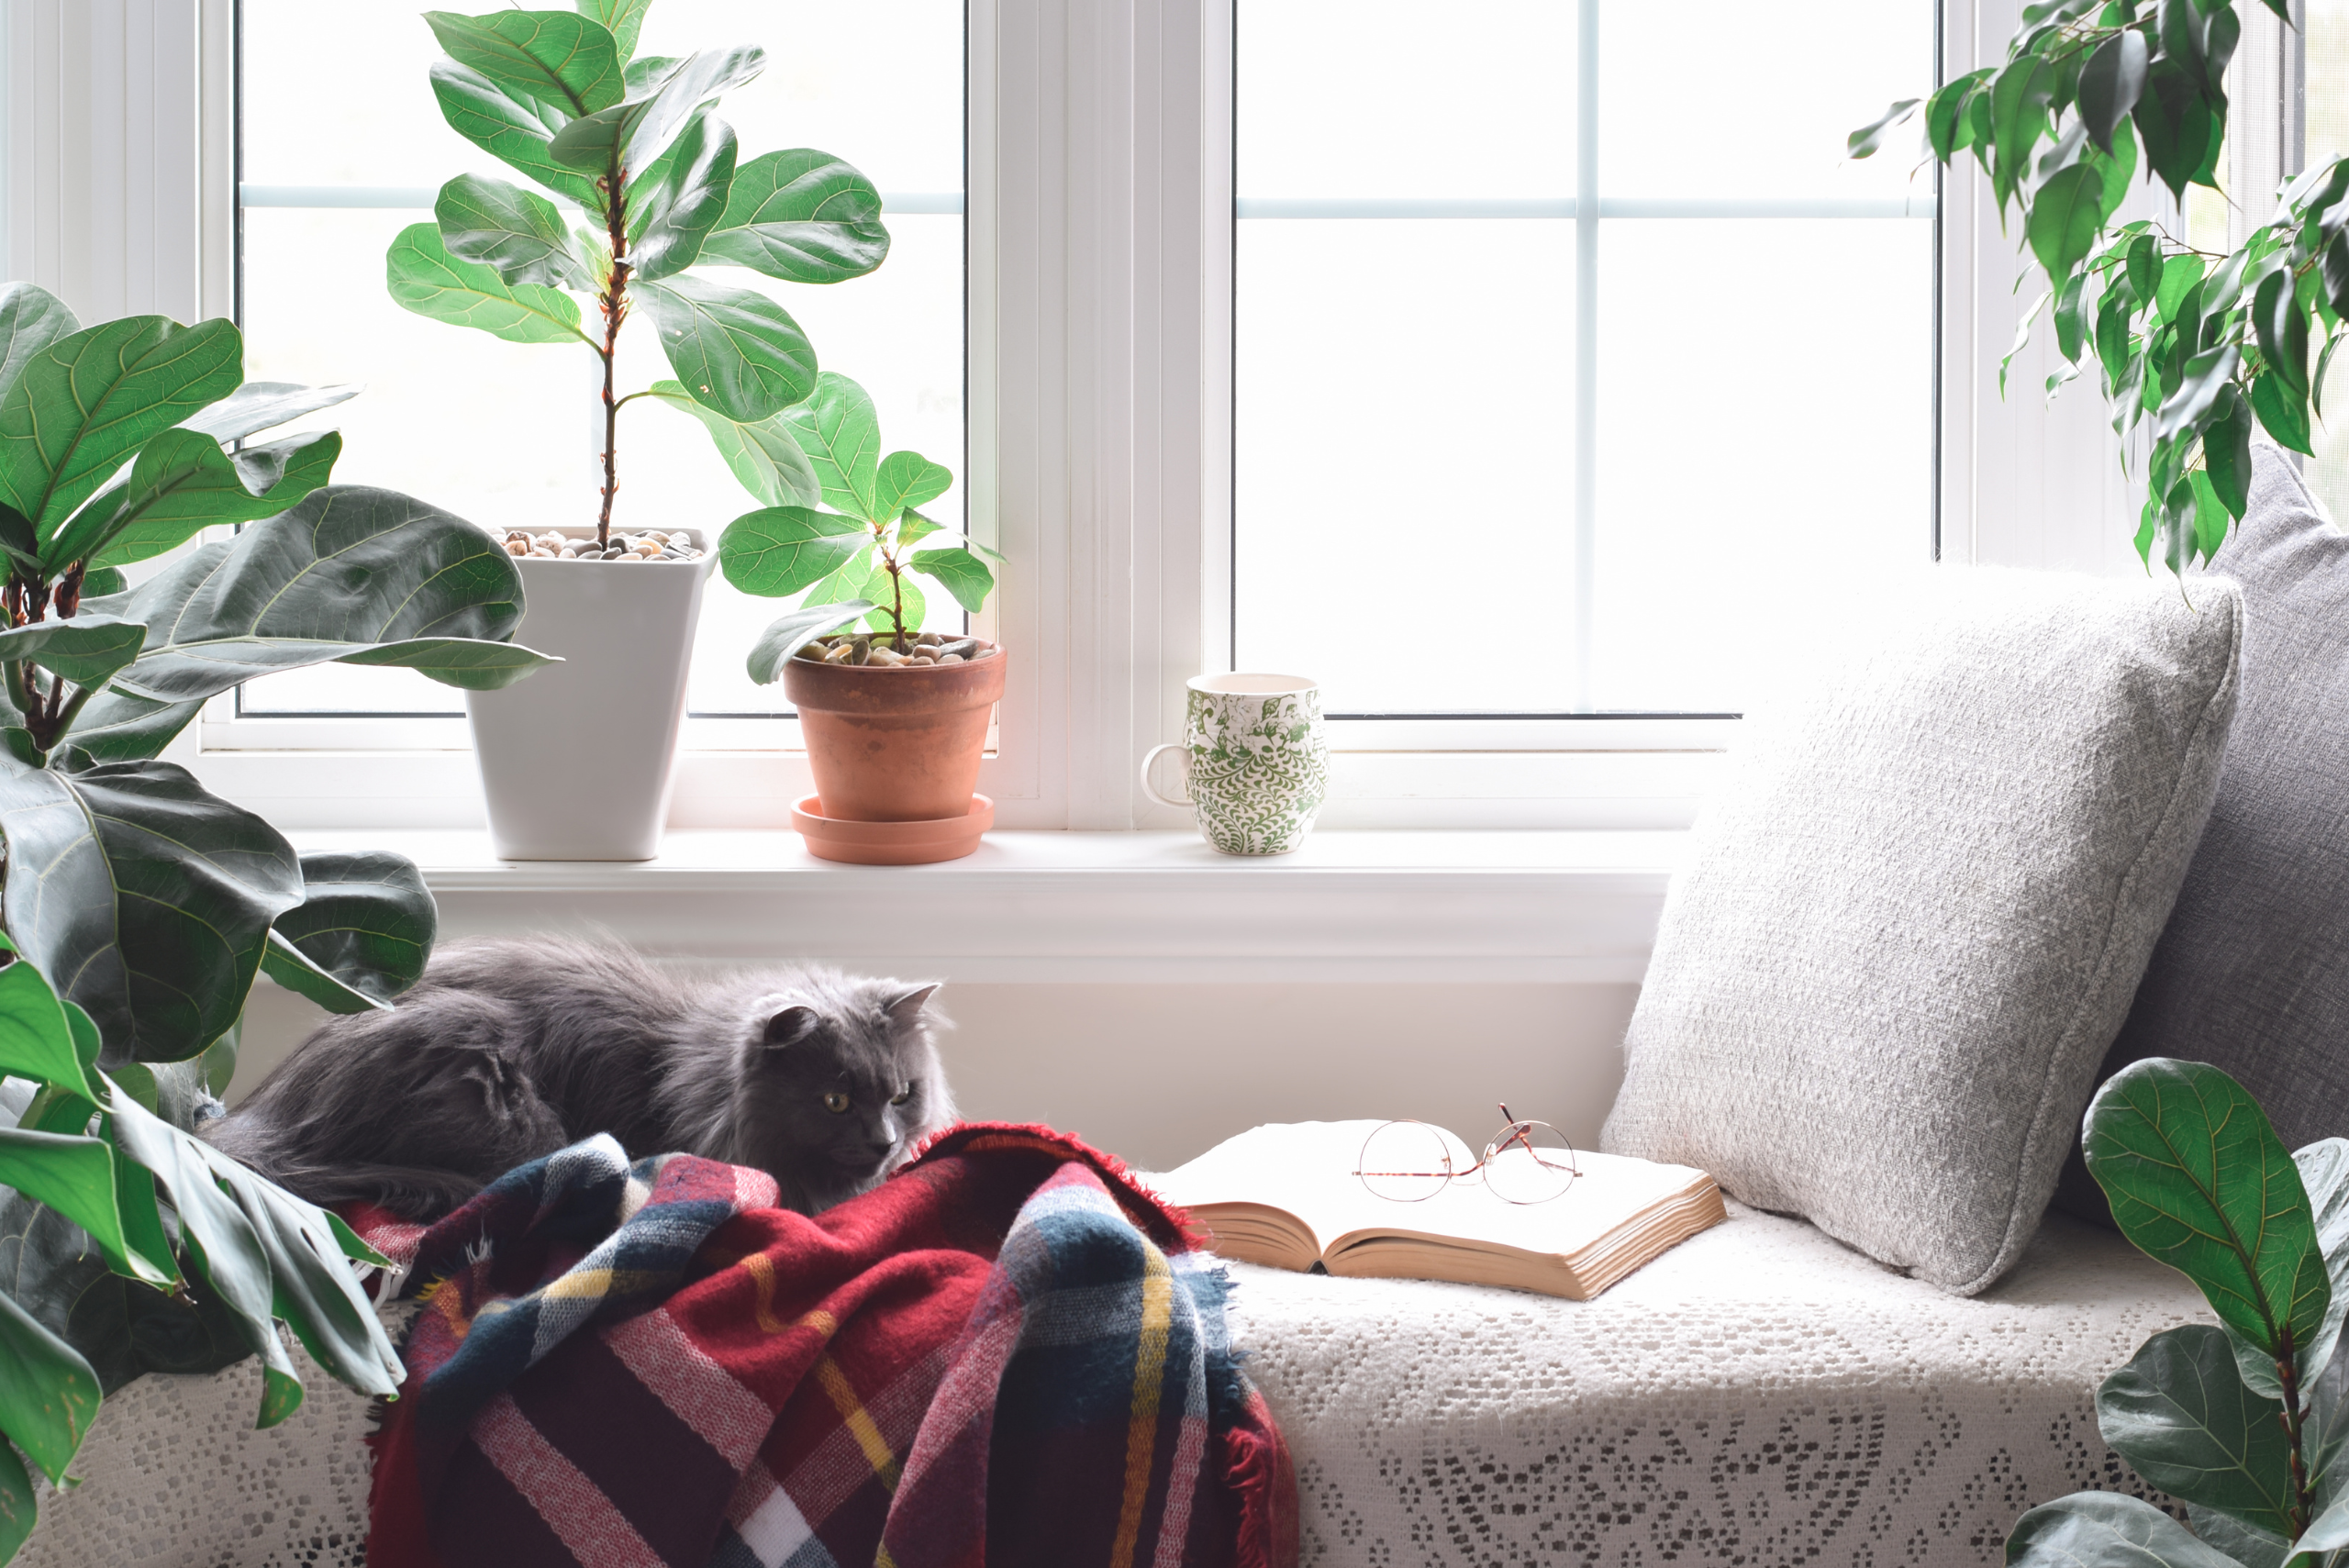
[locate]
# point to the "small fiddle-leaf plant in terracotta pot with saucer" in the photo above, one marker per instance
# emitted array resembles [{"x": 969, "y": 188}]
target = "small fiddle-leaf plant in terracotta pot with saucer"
[{"x": 894, "y": 717}]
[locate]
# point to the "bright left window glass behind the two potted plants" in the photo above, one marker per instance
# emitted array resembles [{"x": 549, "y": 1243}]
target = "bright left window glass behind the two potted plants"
[{"x": 337, "y": 163}]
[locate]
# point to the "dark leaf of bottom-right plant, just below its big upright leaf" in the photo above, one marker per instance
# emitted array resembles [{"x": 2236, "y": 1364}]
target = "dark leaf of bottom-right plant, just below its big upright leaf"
[{"x": 2183, "y": 1419}]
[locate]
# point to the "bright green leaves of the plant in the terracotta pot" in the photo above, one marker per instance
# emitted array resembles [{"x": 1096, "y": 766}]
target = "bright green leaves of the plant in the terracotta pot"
[{"x": 856, "y": 555}]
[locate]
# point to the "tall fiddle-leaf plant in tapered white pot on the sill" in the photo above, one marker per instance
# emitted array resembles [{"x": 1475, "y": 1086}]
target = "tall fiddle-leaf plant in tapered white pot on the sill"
[{"x": 579, "y": 766}]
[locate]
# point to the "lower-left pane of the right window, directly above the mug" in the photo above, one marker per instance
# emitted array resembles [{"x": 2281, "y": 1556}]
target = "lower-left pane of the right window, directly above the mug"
[{"x": 1406, "y": 445}]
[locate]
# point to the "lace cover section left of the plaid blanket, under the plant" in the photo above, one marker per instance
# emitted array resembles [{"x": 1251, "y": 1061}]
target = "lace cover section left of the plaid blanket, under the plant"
[{"x": 177, "y": 1478}]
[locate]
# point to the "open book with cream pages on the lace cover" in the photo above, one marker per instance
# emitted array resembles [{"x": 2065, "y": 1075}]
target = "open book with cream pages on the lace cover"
[{"x": 1286, "y": 1196}]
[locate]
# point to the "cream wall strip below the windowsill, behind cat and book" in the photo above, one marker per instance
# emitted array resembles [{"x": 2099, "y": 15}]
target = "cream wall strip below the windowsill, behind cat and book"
[{"x": 1159, "y": 1074}]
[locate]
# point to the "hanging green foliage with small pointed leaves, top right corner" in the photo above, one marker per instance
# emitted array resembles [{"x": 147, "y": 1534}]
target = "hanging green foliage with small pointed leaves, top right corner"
[{"x": 2193, "y": 349}]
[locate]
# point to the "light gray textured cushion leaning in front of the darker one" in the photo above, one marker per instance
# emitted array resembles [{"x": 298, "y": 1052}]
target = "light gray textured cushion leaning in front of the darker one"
[{"x": 1916, "y": 917}]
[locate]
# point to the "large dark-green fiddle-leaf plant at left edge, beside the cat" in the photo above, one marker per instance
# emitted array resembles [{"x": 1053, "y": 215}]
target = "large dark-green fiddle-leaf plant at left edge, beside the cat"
[{"x": 140, "y": 907}]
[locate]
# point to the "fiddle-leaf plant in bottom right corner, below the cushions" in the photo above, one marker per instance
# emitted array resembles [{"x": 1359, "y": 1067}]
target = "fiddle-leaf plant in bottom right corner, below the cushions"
[{"x": 2242, "y": 1421}]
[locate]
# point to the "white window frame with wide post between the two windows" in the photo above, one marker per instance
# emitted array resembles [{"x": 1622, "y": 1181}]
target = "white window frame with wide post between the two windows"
[{"x": 1101, "y": 391}]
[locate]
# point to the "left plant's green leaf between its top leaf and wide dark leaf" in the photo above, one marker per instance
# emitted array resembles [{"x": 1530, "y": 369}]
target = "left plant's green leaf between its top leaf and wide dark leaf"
[{"x": 182, "y": 485}]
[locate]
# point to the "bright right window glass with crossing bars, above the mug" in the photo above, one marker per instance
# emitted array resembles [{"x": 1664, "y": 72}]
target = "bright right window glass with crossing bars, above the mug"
[{"x": 1568, "y": 349}]
